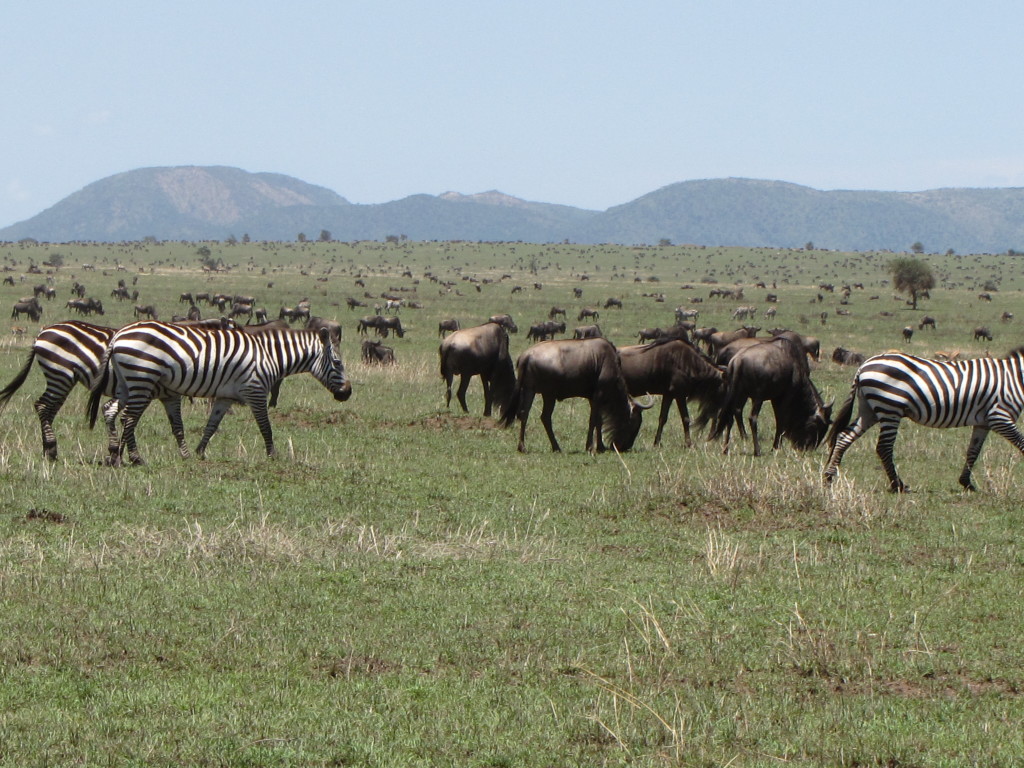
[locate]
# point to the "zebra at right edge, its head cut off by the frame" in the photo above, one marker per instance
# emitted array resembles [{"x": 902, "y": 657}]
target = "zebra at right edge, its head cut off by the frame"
[{"x": 984, "y": 394}]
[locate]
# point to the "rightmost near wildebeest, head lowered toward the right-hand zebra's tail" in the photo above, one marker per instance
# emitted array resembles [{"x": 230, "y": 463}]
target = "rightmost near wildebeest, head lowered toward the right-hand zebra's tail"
[{"x": 776, "y": 371}]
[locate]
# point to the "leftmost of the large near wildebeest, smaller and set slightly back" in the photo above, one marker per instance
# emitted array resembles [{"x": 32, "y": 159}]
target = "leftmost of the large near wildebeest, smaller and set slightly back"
[{"x": 482, "y": 351}]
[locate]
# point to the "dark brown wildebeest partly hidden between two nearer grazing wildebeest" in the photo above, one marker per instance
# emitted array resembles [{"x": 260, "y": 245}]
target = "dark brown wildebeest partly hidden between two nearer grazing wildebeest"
[{"x": 675, "y": 370}]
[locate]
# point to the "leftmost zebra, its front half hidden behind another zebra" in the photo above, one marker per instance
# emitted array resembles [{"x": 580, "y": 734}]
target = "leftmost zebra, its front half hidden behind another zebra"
[{"x": 68, "y": 354}]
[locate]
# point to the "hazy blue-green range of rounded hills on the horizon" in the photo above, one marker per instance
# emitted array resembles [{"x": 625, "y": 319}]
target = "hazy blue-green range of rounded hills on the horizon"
[{"x": 195, "y": 203}]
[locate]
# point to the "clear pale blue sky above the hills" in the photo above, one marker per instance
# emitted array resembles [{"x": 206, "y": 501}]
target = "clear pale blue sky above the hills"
[{"x": 590, "y": 105}]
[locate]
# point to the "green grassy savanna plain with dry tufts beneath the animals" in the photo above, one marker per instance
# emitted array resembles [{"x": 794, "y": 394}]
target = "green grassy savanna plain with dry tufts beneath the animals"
[{"x": 402, "y": 588}]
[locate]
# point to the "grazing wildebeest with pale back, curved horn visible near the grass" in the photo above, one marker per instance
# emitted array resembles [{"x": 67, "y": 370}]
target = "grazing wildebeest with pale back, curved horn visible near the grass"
[{"x": 569, "y": 368}]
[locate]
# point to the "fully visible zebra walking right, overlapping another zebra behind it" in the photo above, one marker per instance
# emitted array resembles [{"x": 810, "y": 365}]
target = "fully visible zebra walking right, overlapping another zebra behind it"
[{"x": 159, "y": 361}]
